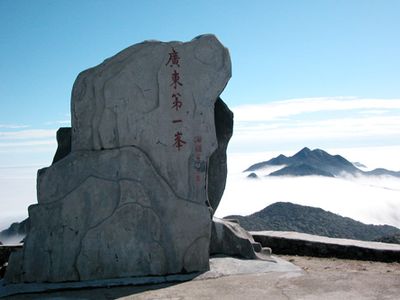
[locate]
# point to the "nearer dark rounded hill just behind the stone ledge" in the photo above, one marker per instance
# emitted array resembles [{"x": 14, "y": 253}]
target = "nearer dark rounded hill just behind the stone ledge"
[{"x": 286, "y": 216}]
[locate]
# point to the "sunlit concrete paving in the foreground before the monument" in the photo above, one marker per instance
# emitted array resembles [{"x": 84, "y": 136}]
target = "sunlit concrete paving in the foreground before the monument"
[{"x": 320, "y": 278}]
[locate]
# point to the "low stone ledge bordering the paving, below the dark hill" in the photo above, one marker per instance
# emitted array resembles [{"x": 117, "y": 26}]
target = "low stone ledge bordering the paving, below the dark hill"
[{"x": 294, "y": 243}]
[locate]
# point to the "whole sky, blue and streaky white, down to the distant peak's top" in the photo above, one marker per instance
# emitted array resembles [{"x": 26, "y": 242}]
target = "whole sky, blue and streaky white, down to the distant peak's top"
[{"x": 305, "y": 73}]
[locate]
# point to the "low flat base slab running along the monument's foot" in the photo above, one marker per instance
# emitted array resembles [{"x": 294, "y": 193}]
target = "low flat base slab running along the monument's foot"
[{"x": 219, "y": 267}]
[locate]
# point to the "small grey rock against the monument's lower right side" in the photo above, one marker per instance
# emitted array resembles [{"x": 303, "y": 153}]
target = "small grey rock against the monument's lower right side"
[{"x": 228, "y": 238}]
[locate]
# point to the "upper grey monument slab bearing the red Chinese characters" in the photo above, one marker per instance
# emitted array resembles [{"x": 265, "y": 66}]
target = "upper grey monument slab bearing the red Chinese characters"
[{"x": 134, "y": 98}]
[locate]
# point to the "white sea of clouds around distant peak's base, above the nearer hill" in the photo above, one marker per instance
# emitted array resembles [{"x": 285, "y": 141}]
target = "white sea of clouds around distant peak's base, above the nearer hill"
[{"x": 372, "y": 200}]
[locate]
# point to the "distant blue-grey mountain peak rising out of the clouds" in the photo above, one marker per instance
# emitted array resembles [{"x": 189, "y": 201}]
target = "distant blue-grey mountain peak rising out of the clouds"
[{"x": 316, "y": 162}]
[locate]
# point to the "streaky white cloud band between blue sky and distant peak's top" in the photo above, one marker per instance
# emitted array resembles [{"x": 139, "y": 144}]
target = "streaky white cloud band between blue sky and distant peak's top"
[{"x": 316, "y": 122}]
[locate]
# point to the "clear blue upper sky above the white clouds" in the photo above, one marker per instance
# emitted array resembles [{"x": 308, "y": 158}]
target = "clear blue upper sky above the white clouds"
[{"x": 280, "y": 49}]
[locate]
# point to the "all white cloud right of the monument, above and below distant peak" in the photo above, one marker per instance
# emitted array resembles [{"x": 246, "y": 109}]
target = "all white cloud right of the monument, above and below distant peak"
[{"x": 360, "y": 129}]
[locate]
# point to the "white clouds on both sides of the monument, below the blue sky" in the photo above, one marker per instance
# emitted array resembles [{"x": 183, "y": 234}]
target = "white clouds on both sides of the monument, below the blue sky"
[{"x": 360, "y": 129}]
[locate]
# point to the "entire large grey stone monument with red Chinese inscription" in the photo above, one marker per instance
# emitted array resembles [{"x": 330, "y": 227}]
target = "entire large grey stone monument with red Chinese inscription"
[{"x": 130, "y": 196}]
